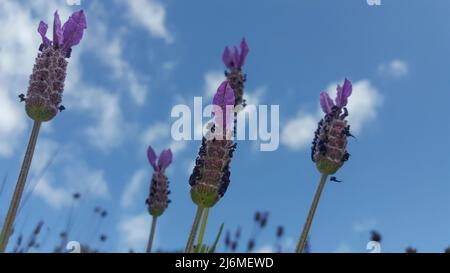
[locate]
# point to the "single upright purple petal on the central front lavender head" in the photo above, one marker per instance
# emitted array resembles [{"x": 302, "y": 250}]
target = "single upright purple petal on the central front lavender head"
[{"x": 223, "y": 104}]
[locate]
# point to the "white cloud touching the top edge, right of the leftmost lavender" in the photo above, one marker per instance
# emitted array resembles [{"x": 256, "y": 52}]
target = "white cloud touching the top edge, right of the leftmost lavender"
[{"x": 151, "y": 15}]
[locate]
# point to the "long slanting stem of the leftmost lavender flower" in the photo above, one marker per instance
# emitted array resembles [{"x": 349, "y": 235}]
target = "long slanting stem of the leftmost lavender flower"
[{"x": 20, "y": 186}]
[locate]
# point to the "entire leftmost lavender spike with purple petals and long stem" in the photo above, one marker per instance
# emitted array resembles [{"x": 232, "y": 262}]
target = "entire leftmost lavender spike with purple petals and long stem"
[{"x": 44, "y": 95}]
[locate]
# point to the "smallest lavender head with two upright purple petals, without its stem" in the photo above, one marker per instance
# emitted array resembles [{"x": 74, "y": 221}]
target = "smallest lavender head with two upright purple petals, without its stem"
[{"x": 158, "y": 199}]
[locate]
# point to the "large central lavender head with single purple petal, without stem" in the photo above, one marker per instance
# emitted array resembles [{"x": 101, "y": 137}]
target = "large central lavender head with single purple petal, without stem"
[{"x": 211, "y": 175}]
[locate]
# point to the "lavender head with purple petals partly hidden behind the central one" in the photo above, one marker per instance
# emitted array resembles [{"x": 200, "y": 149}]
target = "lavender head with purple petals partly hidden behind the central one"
[{"x": 234, "y": 59}]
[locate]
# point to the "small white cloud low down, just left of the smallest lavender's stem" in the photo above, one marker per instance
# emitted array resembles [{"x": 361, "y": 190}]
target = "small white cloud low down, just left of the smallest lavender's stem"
[{"x": 134, "y": 231}]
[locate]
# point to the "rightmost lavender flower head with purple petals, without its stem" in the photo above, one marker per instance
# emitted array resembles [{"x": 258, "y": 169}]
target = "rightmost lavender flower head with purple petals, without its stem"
[{"x": 329, "y": 150}]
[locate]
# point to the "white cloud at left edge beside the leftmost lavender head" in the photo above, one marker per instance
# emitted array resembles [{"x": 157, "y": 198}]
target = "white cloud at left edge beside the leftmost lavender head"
[{"x": 16, "y": 60}]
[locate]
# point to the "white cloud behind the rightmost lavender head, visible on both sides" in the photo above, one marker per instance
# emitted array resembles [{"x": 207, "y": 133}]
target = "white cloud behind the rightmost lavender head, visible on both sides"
[{"x": 363, "y": 105}]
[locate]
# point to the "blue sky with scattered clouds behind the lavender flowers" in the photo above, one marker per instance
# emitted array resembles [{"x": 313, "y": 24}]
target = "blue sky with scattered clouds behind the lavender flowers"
[{"x": 140, "y": 58}]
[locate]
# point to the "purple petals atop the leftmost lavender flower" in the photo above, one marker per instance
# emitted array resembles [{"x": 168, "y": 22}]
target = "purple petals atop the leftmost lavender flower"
[{"x": 67, "y": 36}]
